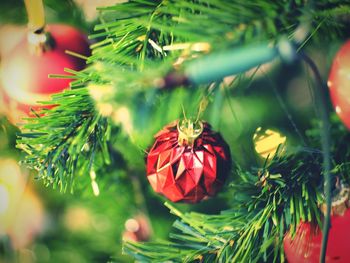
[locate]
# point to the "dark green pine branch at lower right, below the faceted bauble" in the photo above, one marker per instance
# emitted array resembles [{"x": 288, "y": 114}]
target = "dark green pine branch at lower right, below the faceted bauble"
[{"x": 267, "y": 204}]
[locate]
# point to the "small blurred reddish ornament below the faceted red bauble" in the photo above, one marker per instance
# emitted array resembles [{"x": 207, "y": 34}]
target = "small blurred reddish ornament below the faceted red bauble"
[{"x": 137, "y": 229}]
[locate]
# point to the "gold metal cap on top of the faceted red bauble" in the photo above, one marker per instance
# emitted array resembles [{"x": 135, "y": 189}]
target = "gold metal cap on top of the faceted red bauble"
[{"x": 189, "y": 131}]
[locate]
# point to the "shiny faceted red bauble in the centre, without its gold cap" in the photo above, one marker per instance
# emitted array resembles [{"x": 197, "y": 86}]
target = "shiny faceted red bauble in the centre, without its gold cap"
[{"x": 185, "y": 172}]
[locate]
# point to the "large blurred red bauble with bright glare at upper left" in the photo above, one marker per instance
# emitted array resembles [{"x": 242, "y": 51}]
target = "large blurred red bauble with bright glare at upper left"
[{"x": 24, "y": 73}]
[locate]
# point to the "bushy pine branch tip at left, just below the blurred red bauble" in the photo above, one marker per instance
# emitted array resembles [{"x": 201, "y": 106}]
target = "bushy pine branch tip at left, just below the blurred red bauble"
[{"x": 67, "y": 141}]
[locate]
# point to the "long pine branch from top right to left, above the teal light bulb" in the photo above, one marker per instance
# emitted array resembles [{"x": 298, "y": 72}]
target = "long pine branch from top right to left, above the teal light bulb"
[{"x": 144, "y": 36}]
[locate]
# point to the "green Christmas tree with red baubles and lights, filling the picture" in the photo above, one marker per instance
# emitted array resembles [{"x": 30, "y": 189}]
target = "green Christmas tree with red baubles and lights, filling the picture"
[{"x": 230, "y": 116}]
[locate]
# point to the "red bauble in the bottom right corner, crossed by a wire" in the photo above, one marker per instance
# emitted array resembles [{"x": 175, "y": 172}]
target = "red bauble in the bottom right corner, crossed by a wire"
[{"x": 306, "y": 245}]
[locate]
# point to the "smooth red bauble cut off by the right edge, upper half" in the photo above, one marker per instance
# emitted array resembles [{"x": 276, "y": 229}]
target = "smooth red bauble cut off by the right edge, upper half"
[{"x": 339, "y": 83}]
